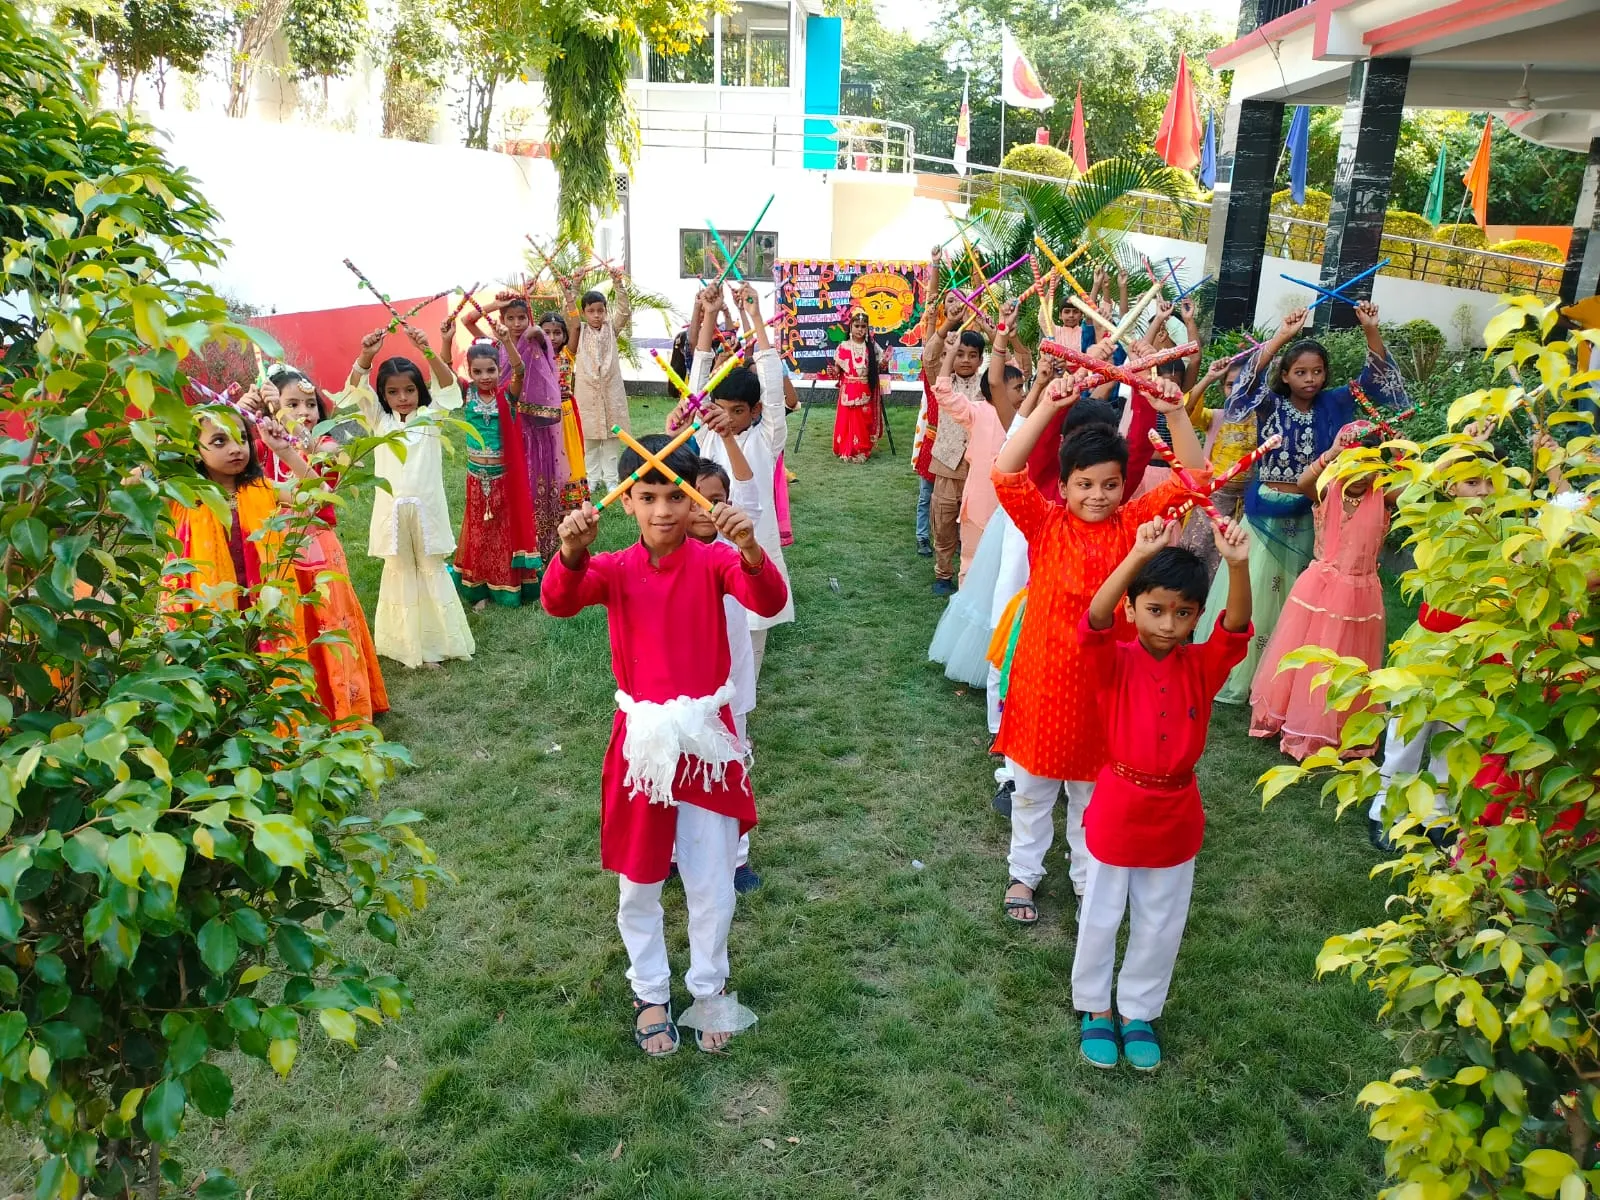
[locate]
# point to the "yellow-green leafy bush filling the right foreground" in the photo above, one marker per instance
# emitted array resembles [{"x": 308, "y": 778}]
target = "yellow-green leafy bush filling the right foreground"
[{"x": 1489, "y": 961}]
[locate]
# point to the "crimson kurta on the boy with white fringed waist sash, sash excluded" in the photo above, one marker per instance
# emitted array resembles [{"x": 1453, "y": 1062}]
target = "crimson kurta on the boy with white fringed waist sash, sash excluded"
[{"x": 668, "y": 639}]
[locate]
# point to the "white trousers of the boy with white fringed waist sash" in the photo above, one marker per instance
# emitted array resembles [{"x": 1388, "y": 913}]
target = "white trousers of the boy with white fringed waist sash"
[{"x": 706, "y": 846}]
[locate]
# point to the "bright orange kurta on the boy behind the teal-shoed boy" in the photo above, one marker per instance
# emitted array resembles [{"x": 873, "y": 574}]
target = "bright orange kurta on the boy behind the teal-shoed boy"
[{"x": 1050, "y": 726}]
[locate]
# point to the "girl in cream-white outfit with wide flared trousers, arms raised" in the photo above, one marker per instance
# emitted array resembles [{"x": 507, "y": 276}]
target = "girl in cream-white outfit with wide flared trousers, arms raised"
[{"x": 420, "y": 620}]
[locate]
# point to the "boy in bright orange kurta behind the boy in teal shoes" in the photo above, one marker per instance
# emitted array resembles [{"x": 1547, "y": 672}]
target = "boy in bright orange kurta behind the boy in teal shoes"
[{"x": 1049, "y": 735}]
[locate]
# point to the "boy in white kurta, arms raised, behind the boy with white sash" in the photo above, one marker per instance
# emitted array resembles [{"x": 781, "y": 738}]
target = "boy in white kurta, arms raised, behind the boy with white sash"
[{"x": 754, "y": 402}]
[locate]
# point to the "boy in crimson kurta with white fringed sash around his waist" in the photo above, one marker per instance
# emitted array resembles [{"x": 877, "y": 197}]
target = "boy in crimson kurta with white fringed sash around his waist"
[{"x": 674, "y": 774}]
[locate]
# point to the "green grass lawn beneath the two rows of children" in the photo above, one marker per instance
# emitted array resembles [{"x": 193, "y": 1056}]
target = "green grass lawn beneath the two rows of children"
[{"x": 911, "y": 1041}]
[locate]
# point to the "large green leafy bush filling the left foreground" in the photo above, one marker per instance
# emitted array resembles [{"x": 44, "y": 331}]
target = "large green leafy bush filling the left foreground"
[{"x": 182, "y": 833}]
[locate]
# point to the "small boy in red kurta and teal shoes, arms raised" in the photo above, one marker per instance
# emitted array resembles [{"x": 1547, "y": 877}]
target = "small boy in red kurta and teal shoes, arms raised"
[{"x": 1145, "y": 823}]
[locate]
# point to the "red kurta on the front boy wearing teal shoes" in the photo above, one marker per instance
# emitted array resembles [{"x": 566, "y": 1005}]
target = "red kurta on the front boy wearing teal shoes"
[{"x": 1158, "y": 713}]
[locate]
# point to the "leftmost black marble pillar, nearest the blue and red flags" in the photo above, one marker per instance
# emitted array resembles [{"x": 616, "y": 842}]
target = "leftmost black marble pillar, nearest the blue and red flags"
[{"x": 1246, "y": 169}]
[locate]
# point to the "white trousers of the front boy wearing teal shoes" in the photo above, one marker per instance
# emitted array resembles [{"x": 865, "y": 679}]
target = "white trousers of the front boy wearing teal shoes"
[{"x": 1158, "y": 902}]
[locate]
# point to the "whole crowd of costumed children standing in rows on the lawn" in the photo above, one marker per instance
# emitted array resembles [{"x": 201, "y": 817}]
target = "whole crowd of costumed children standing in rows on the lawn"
[{"x": 1103, "y": 599}]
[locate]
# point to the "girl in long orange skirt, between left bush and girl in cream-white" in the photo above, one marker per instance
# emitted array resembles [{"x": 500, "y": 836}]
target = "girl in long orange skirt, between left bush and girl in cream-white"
[{"x": 350, "y": 682}]
